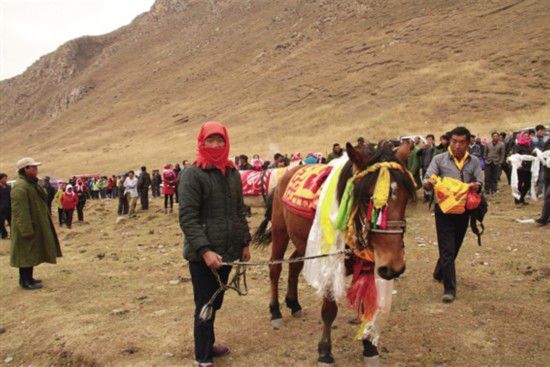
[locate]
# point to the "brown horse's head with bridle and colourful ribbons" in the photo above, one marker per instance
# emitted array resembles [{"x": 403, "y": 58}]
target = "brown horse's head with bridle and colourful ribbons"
[{"x": 387, "y": 243}]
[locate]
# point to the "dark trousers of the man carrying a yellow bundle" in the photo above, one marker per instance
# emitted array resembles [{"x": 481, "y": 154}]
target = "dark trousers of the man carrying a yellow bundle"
[{"x": 451, "y": 229}]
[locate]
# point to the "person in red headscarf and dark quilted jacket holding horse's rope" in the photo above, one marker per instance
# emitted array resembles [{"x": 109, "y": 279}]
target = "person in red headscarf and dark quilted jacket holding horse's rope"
[{"x": 213, "y": 220}]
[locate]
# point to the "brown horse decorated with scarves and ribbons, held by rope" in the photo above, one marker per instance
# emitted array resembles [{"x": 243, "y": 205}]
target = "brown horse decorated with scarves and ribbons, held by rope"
[{"x": 388, "y": 247}]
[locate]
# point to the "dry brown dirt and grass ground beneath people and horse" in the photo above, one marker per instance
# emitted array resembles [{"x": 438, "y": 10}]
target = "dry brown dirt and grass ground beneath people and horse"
[{"x": 121, "y": 296}]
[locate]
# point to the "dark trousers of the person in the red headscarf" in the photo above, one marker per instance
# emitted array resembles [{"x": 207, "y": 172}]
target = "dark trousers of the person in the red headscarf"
[{"x": 204, "y": 286}]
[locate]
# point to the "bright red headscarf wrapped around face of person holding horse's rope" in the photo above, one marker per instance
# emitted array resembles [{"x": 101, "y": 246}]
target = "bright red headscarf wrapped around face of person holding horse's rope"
[{"x": 206, "y": 156}]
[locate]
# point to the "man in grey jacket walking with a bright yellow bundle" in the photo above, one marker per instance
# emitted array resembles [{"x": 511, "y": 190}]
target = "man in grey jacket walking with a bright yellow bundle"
[{"x": 451, "y": 217}]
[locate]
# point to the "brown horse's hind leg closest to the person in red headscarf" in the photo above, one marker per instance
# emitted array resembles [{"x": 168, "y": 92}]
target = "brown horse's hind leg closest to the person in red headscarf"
[{"x": 280, "y": 243}]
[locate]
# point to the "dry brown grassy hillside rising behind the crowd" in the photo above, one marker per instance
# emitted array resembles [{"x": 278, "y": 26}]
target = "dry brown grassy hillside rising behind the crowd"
[{"x": 283, "y": 75}]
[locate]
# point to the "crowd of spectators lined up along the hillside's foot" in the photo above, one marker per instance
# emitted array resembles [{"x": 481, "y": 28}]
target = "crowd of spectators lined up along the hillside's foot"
[{"x": 127, "y": 188}]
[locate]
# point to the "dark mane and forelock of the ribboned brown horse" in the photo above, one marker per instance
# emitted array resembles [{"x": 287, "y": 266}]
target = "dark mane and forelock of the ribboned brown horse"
[{"x": 383, "y": 152}]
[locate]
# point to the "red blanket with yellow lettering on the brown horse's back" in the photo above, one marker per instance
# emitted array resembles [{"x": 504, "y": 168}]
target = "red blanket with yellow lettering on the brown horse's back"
[{"x": 303, "y": 190}]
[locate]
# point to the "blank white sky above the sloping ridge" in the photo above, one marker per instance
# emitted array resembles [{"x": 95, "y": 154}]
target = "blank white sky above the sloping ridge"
[{"x": 32, "y": 28}]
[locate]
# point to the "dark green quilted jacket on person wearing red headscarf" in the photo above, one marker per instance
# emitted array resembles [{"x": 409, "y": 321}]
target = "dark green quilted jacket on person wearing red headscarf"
[{"x": 212, "y": 213}]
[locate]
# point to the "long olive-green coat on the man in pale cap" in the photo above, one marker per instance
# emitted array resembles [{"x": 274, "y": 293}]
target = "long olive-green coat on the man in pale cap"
[{"x": 33, "y": 238}]
